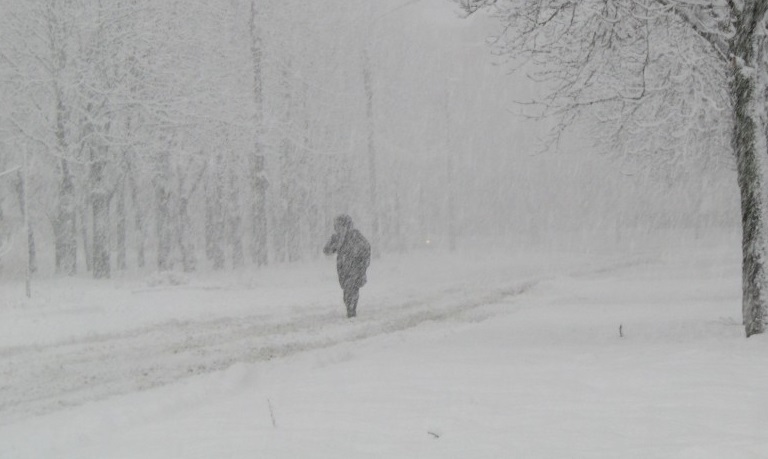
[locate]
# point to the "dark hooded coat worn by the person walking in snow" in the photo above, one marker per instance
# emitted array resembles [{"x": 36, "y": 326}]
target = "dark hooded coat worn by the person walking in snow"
[{"x": 353, "y": 253}]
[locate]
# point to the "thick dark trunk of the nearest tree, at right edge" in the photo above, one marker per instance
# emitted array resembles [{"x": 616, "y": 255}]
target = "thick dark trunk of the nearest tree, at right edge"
[{"x": 747, "y": 90}]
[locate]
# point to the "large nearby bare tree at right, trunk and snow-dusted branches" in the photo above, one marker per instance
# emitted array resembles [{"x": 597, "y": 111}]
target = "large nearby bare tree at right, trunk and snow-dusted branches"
[{"x": 685, "y": 72}]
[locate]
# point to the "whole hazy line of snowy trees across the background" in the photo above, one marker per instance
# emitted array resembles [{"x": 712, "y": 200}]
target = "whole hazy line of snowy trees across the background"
[{"x": 188, "y": 135}]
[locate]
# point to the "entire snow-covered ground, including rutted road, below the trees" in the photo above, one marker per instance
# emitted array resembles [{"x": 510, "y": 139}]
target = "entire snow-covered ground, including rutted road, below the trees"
[{"x": 502, "y": 354}]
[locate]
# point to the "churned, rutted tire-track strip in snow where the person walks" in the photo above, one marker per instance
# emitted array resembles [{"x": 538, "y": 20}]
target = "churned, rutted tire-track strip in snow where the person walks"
[{"x": 41, "y": 379}]
